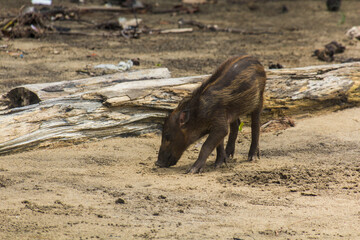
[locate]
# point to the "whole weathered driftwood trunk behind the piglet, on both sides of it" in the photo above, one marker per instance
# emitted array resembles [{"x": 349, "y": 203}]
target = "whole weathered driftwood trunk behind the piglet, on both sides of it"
[{"x": 110, "y": 106}]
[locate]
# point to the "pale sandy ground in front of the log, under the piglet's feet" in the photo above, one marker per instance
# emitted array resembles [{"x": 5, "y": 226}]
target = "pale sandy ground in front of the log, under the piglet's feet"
[{"x": 305, "y": 186}]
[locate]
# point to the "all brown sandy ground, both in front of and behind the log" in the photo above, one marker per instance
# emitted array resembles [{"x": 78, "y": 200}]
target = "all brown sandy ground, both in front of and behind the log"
[{"x": 305, "y": 186}]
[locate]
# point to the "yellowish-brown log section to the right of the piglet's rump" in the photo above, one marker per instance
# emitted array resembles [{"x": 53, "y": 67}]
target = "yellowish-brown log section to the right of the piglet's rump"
[{"x": 297, "y": 91}]
